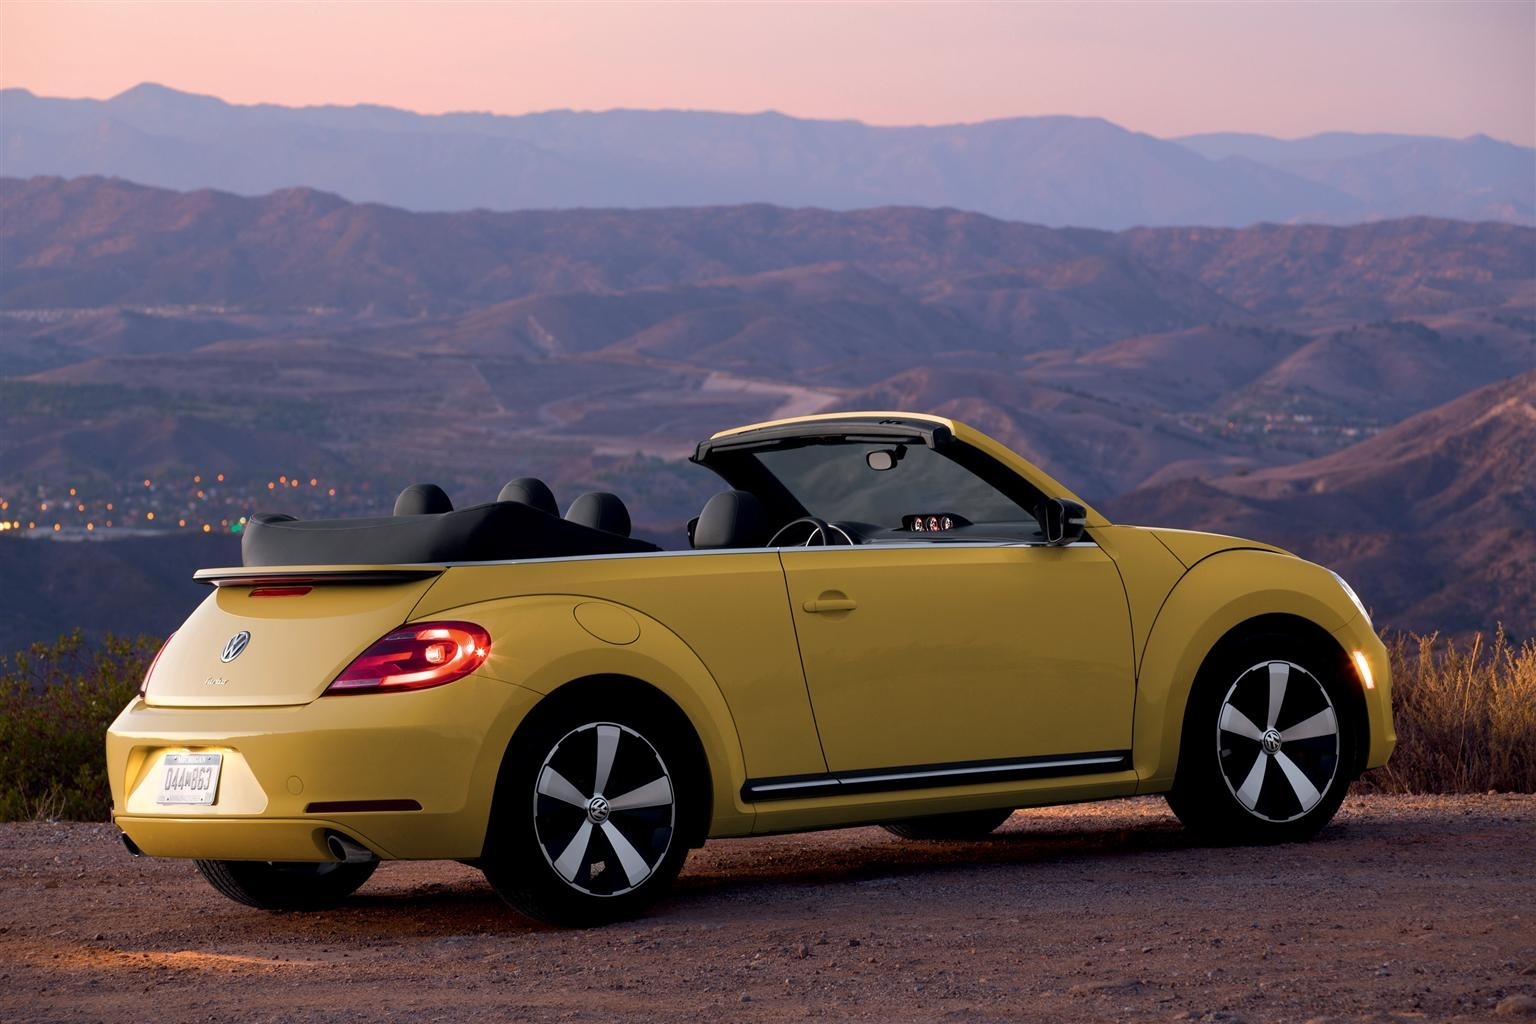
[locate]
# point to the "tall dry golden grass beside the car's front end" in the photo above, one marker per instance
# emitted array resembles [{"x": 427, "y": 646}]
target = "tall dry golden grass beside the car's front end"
[{"x": 1466, "y": 716}]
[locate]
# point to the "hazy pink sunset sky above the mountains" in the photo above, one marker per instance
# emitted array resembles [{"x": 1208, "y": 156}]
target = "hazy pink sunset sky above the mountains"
[{"x": 1164, "y": 68}]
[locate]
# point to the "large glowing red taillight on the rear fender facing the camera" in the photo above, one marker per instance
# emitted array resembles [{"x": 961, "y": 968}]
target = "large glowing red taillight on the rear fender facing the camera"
[{"x": 415, "y": 658}]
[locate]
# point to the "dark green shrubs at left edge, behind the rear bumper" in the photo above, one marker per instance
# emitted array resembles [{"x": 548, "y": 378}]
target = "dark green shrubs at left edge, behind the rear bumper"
[{"x": 56, "y": 704}]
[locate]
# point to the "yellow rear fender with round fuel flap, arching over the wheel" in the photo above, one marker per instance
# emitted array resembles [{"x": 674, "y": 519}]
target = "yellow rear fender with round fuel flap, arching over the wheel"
[{"x": 541, "y": 646}]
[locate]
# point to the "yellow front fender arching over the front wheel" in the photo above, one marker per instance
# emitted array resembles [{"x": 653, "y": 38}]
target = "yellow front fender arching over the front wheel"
[{"x": 1217, "y": 595}]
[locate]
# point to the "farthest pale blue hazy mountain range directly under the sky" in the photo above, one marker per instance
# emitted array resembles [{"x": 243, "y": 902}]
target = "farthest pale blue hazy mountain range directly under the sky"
[{"x": 1054, "y": 171}]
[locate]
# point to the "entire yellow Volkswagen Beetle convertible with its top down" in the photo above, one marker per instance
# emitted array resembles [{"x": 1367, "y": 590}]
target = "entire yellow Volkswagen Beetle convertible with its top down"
[{"x": 882, "y": 619}]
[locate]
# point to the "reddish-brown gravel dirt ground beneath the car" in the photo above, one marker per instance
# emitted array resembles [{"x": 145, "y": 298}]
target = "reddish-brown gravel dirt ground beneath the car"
[{"x": 1406, "y": 910}]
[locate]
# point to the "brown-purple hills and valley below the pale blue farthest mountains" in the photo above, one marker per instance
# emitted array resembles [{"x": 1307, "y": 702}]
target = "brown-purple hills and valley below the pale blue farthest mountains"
[{"x": 1257, "y": 380}]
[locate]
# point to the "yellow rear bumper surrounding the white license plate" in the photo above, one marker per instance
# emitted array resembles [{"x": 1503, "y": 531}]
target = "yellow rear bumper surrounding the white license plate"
[{"x": 285, "y": 770}]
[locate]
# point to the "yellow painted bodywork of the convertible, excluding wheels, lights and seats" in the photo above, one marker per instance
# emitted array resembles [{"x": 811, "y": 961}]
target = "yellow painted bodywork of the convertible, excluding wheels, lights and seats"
[{"x": 827, "y": 687}]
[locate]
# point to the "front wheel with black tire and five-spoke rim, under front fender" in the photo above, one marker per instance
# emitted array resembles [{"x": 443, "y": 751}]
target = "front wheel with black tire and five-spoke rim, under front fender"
[{"x": 1270, "y": 744}]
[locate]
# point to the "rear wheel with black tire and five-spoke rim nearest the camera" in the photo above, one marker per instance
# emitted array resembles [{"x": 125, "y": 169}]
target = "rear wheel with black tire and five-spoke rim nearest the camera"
[{"x": 594, "y": 813}]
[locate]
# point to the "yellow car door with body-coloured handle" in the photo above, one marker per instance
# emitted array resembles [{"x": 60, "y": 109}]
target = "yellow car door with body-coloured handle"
[{"x": 945, "y": 655}]
